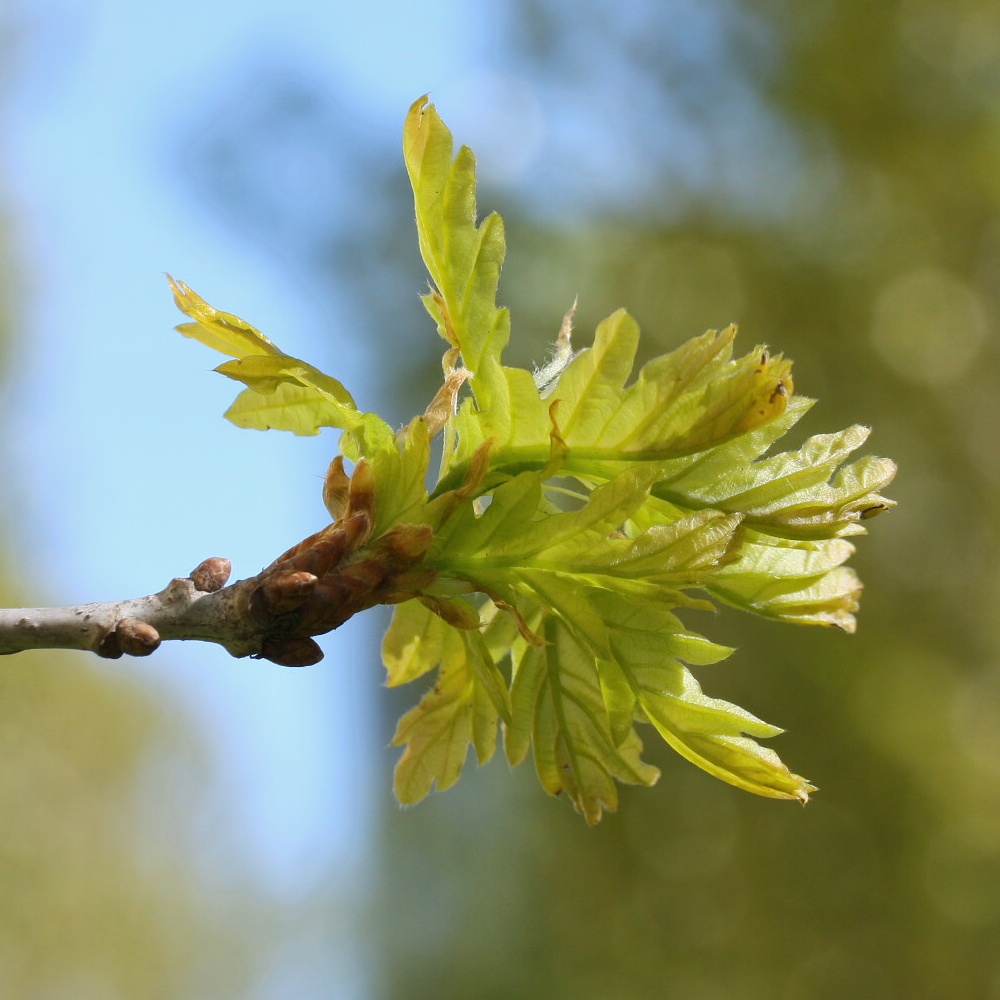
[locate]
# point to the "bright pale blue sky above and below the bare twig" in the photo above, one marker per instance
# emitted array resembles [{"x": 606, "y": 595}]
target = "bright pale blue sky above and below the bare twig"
[{"x": 127, "y": 474}]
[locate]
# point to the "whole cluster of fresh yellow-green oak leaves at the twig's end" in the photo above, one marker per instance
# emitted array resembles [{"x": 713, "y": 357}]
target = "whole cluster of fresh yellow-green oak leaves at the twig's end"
[{"x": 573, "y": 514}]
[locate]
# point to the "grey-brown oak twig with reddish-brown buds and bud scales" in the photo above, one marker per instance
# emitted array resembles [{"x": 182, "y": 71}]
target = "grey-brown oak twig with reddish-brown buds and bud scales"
[{"x": 311, "y": 589}]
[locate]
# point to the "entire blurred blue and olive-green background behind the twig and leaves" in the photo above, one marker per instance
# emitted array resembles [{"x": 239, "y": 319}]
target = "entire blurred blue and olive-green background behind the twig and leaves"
[{"x": 826, "y": 174}]
